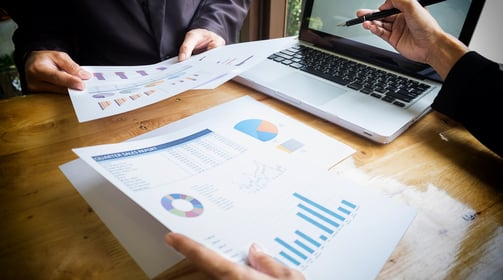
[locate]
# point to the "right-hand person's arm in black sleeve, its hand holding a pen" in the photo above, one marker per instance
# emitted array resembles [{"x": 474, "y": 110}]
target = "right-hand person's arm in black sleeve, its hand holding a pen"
[{"x": 472, "y": 90}]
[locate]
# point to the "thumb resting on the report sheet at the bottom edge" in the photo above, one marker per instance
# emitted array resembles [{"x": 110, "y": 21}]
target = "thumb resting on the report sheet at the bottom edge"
[{"x": 268, "y": 265}]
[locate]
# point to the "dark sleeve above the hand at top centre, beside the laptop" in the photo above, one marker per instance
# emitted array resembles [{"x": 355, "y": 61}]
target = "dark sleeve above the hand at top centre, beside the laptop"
[{"x": 224, "y": 17}]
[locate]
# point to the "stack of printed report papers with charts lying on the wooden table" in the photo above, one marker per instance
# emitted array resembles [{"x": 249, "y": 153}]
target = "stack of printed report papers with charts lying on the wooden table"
[{"x": 236, "y": 174}]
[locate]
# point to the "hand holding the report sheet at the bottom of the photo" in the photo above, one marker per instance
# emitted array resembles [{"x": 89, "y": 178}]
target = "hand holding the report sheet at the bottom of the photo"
[{"x": 262, "y": 266}]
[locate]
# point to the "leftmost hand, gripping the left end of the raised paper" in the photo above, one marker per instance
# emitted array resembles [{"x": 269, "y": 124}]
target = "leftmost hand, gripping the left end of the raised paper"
[{"x": 53, "y": 71}]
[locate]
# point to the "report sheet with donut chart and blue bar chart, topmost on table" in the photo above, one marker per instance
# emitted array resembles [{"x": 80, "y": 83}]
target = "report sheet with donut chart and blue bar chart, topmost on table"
[{"x": 210, "y": 186}]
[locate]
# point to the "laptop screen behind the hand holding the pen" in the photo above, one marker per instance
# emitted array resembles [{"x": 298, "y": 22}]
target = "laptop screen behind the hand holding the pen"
[{"x": 321, "y": 17}]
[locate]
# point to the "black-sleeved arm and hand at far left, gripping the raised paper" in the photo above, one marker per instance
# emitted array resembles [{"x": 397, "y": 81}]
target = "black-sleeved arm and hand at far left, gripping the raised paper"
[{"x": 43, "y": 43}]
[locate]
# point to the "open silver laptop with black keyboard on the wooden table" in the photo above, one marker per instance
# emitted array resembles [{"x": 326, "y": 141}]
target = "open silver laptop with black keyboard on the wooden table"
[{"x": 352, "y": 78}]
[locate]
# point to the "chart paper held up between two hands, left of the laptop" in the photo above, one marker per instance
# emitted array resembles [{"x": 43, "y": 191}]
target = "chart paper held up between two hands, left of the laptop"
[{"x": 117, "y": 89}]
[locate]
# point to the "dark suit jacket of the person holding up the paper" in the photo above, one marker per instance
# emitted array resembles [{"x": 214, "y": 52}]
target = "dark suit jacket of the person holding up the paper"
[{"x": 119, "y": 32}]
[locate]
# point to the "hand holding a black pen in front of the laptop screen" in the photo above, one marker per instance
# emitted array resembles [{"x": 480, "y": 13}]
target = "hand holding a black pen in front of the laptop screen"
[{"x": 416, "y": 35}]
